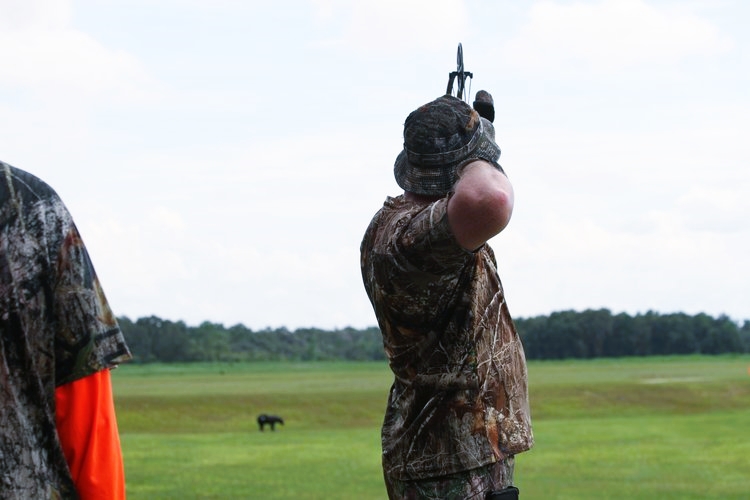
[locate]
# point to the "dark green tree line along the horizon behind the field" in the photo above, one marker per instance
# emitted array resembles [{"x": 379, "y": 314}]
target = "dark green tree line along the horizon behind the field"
[{"x": 560, "y": 335}]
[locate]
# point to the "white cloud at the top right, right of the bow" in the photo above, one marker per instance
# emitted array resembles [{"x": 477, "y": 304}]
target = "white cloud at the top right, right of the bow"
[{"x": 611, "y": 35}]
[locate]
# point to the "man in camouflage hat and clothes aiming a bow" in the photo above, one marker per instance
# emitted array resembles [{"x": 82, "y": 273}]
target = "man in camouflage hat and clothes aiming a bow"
[{"x": 458, "y": 409}]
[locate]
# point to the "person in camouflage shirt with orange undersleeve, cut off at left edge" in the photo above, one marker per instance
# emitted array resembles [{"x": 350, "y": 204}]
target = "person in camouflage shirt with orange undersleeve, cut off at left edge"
[{"x": 58, "y": 342}]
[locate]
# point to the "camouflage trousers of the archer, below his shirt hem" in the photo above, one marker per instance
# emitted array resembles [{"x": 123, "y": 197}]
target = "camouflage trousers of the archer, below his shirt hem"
[{"x": 471, "y": 484}]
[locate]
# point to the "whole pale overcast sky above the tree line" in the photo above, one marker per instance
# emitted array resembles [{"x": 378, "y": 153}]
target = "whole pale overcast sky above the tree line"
[{"x": 222, "y": 159}]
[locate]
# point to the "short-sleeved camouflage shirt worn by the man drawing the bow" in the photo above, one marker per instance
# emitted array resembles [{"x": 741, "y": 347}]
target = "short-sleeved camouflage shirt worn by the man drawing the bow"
[{"x": 459, "y": 399}]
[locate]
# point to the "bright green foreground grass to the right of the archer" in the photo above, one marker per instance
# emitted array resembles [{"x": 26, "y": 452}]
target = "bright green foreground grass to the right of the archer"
[{"x": 662, "y": 457}]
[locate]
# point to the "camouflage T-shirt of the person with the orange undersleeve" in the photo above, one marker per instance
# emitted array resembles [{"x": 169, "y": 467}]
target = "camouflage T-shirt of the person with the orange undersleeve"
[{"x": 55, "y": 327}]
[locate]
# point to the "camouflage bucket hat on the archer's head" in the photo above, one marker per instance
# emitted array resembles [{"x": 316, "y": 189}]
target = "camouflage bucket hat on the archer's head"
[{"x": 440, "y": 137}]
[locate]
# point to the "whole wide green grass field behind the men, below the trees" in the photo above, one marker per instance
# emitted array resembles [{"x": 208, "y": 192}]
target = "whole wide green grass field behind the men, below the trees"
[{"x": 661, "y": 428}]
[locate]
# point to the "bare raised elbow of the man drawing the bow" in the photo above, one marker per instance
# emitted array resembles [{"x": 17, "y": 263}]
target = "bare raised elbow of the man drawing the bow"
[{"x": 481, "y": 205}]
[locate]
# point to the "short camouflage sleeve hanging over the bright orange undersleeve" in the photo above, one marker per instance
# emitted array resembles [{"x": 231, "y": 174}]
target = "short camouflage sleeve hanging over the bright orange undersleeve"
[{"x": 88, "y": 337}]
